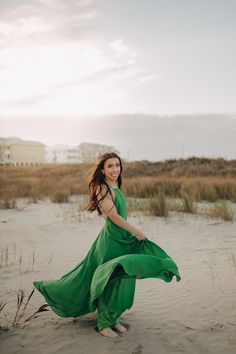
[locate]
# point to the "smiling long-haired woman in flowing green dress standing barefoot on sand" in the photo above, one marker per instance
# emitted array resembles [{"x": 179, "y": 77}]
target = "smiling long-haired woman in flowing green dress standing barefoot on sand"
[{"x": 105, "y": 279}]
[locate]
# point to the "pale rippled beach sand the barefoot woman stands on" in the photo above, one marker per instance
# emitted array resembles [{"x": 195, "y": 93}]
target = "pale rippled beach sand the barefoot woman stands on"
[{"x": 195, "y": 315}]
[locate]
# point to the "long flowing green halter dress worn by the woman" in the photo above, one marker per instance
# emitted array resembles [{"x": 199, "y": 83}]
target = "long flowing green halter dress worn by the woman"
[{"x": 105, "y": 279}]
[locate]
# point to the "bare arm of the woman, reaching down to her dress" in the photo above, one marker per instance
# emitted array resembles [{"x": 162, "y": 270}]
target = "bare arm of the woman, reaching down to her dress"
[{"x": 108, "y": 207}]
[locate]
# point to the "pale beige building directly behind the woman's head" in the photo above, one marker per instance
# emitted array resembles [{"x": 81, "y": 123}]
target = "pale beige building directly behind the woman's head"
[{"x": 91, "y": 151}]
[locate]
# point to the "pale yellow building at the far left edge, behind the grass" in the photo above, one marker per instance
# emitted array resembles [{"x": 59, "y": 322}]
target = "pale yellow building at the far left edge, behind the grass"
[{"x": 17, "y": 152}]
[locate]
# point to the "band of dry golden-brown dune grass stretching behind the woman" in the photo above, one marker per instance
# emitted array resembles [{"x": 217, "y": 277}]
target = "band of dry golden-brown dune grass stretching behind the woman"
[{"x": 201, "y": 179}]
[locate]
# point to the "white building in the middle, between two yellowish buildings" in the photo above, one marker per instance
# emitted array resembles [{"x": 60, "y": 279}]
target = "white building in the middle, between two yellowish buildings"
[{"x": 63, "y": 154}]
